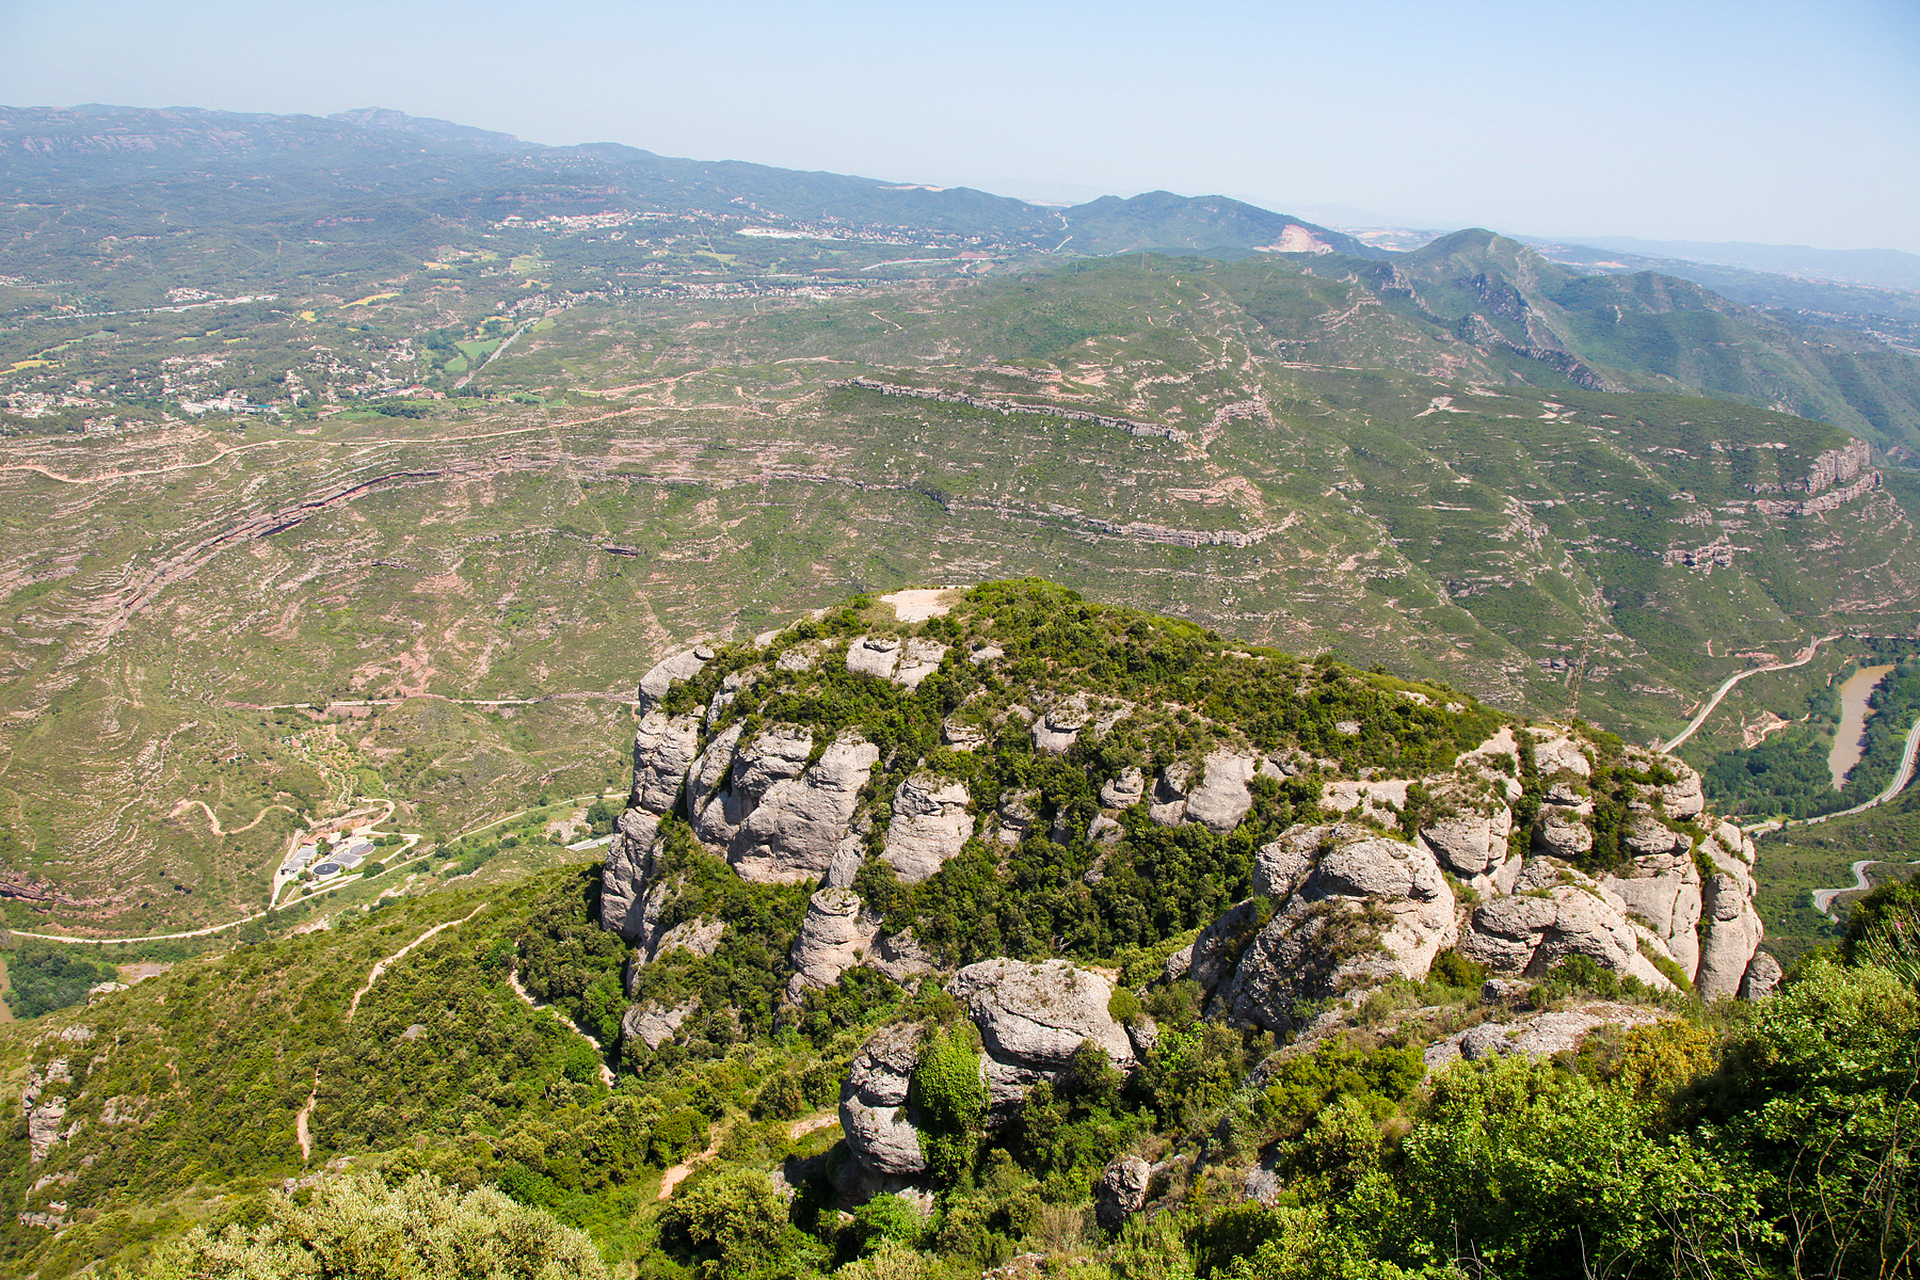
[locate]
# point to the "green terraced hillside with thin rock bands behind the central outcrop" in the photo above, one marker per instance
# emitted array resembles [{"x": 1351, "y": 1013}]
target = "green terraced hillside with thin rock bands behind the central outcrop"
[{"x": 1276, "y": 456}]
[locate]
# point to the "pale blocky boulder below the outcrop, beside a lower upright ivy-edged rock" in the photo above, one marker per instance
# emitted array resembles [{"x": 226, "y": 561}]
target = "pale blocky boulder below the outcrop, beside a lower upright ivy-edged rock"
[{"x": 1036, "y": 1016}]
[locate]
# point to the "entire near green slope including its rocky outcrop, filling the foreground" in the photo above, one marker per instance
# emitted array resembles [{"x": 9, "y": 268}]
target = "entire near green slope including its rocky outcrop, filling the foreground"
[{"x": 1097, "y": 936}]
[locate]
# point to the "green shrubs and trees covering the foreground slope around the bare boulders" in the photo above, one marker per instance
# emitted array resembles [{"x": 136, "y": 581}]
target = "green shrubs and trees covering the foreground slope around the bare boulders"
[{"x": 1671, "y": 1145}]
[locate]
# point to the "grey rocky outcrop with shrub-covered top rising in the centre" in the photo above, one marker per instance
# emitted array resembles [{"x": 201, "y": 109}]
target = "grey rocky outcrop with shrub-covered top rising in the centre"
[{"x": 1305, "y": 832}]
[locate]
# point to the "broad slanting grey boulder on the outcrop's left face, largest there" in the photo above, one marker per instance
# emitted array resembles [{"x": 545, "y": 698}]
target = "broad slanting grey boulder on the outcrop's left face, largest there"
[{"x": 800, "y": 824}]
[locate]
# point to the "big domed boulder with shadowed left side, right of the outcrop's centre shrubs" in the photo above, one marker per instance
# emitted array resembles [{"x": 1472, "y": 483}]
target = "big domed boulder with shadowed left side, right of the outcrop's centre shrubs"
[{"x": 1355, "y": 911}]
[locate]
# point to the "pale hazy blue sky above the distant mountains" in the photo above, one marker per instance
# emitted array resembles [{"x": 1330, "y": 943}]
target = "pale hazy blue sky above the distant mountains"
[{"x": 1704, "y": 120}]
